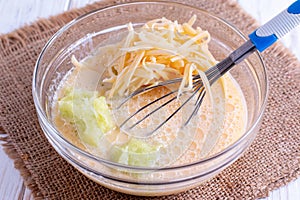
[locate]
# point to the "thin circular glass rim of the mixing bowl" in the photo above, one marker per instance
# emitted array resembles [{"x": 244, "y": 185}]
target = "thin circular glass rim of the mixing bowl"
[{"x": 43, "y": 117}]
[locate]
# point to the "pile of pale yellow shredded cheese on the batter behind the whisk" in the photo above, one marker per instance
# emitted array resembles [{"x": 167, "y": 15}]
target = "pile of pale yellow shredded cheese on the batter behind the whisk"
[{"x": 161, "y": 50}]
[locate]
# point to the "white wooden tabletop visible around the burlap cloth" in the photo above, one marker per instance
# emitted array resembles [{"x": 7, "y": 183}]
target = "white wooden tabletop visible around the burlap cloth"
[{"x": 15, "y": 13}]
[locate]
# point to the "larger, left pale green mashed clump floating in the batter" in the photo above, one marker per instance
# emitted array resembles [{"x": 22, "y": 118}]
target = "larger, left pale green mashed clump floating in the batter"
[{"x": 89, "y": 114}]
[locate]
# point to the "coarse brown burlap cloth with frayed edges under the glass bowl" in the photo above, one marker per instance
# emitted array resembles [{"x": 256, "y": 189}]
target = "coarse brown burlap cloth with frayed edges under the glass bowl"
[{"x": 272, "y": 161}]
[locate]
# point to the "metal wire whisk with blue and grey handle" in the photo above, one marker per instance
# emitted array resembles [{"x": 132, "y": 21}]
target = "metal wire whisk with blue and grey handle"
[{"x": 260, "y": 39}]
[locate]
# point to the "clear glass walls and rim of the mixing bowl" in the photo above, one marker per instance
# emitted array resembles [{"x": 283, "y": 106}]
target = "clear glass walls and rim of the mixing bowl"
[{"x": 82, "y": 35}]
